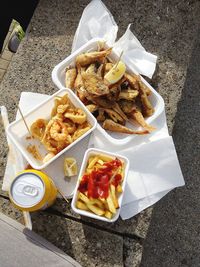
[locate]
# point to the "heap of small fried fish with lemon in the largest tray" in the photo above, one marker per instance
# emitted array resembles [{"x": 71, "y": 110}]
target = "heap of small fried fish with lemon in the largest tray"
[{"x": 111, "y": 93}]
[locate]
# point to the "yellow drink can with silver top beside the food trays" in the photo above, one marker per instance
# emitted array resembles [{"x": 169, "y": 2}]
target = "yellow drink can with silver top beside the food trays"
[{"x": 32, "y": 190}]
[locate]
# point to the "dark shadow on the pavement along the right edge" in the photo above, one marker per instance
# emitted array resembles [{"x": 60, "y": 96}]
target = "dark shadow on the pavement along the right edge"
[{"x": 174, "y": 234}]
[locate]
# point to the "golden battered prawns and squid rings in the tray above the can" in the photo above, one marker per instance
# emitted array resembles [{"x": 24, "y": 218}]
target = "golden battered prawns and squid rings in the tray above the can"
[{"x": 67, "y": 123}]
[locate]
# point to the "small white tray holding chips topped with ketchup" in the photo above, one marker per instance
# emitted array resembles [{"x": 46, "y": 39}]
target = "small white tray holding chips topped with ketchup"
[{"x": 93, "y": 152}]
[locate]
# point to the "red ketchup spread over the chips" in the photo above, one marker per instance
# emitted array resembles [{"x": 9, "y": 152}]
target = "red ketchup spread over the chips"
[{"x": 97, "y": 182}]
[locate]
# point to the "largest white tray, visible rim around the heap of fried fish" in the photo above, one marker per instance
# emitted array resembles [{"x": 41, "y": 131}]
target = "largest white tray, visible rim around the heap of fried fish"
[{"x": 58, "y": 77}]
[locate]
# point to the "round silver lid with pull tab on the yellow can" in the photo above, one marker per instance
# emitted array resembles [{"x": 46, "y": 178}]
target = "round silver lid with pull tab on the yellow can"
[{"x": 27, "y": 189}]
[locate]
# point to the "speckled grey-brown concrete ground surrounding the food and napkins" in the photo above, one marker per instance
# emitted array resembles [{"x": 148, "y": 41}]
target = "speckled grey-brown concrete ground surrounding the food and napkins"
[{"x": 168, "y": 235}]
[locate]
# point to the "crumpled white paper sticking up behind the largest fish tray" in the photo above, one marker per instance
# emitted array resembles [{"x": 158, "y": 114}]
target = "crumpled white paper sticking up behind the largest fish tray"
[{"x": 97, "y": 21}]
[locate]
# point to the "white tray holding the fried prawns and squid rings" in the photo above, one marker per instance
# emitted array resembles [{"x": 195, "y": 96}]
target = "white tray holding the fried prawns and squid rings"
[{"x": 18, "y": 132}]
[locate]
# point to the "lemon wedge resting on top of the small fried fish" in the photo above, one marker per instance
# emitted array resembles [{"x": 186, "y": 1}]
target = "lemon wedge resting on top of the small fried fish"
[{"x": 116, "y": 73}]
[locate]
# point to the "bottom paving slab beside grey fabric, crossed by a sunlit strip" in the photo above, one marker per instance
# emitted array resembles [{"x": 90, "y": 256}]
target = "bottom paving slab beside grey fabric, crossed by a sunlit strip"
[{"x": 87, "y": 245}]
